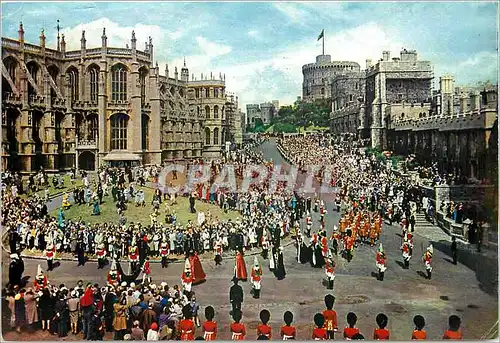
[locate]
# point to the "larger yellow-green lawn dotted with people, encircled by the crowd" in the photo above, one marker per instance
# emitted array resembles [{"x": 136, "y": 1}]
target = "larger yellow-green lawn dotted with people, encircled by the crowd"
[{"x": 141, "y": 214}]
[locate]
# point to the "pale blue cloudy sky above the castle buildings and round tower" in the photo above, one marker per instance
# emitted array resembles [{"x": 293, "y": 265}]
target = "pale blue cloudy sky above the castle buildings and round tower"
[{"x": 261, "y": 46}]
